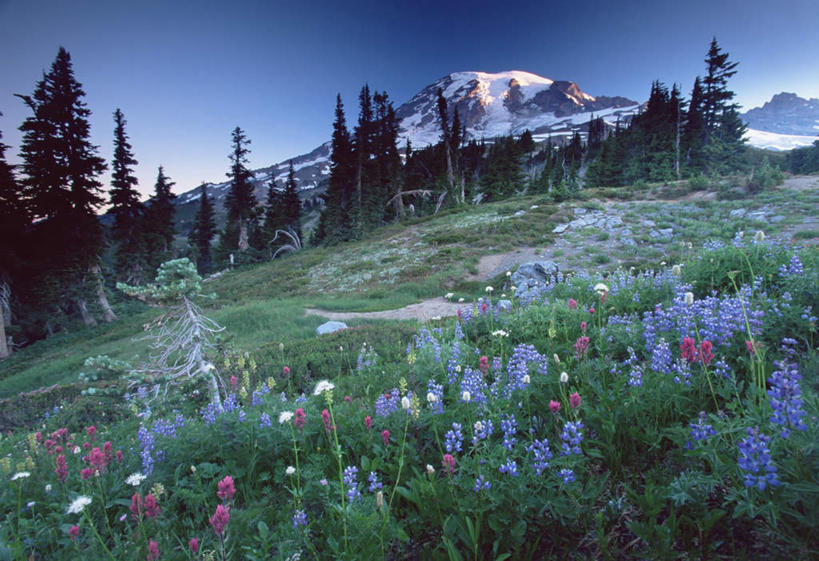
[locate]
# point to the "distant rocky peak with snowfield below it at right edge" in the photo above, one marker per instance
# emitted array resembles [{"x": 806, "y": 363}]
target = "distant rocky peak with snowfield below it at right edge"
[{"x": 785, "y": 122}]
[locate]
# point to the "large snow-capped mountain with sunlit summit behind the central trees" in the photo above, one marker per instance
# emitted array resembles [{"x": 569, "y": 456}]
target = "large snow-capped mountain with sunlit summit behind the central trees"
[{"x": 489, "y": 105}]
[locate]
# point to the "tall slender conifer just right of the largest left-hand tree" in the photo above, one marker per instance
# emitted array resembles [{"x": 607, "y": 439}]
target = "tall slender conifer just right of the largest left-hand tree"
[{"x": 125, "y": 207}]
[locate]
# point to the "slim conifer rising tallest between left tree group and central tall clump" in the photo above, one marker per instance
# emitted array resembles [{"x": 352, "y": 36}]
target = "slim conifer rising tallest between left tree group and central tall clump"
[{"x": 240, "y": 201}]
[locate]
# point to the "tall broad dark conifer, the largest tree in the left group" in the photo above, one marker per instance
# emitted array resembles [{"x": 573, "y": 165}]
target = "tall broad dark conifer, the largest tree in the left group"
[{"x": 60, "y": 181}]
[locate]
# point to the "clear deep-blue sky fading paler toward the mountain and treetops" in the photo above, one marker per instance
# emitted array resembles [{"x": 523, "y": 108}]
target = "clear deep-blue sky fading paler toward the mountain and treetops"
[{"x": 185, "y": 73}]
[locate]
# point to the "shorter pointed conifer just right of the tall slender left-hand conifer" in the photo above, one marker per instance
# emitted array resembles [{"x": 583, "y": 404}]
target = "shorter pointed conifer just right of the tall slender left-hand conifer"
[{"x": 158, "y": 222}]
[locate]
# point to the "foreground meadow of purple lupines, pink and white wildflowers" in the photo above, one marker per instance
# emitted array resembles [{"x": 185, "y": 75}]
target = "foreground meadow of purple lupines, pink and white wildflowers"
[{"x": 642, "y": 414}]
